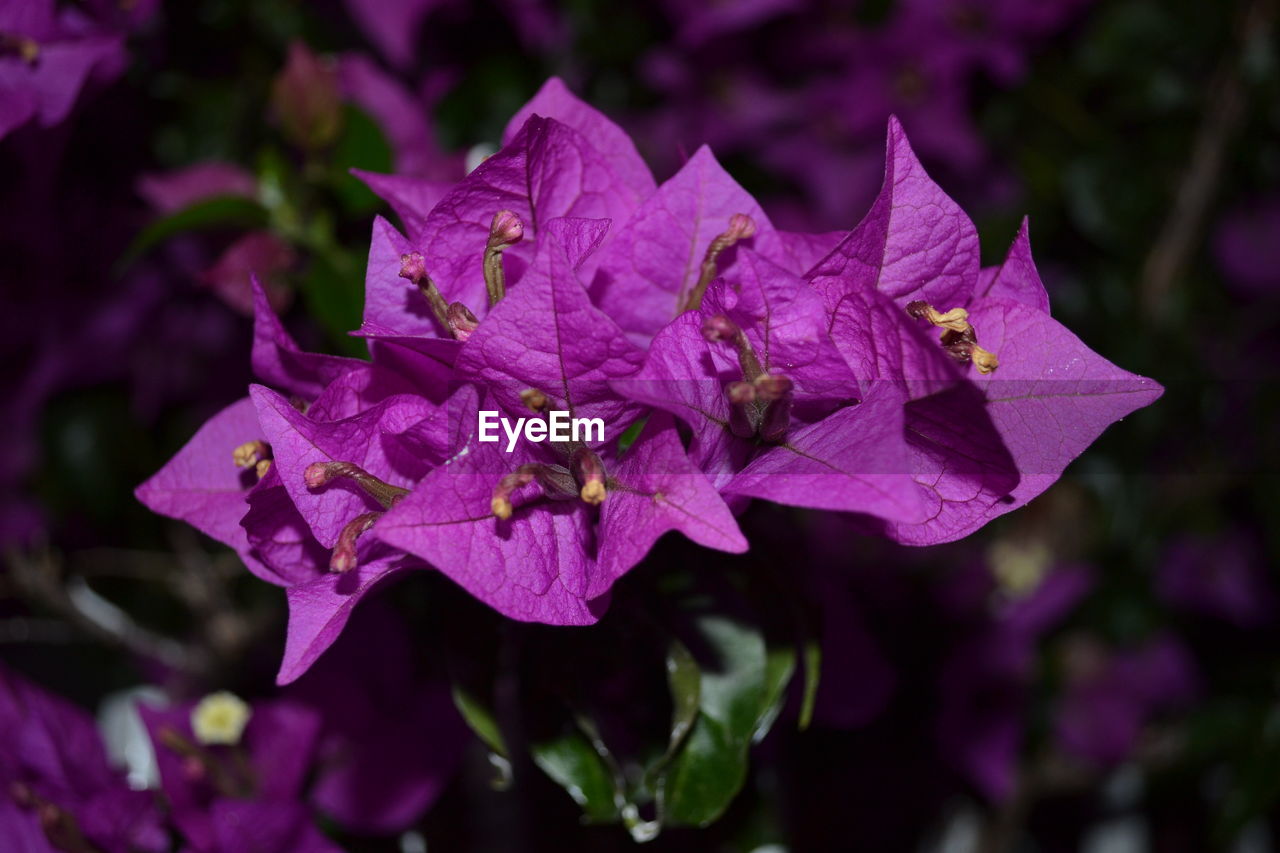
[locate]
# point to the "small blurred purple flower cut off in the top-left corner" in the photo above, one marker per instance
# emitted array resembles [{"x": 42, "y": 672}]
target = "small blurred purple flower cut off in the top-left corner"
[{"x": 47, "y": 58}]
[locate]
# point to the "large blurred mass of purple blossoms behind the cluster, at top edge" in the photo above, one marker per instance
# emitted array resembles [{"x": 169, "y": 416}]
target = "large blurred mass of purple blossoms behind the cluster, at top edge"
[{"x": 804, "y": 90}]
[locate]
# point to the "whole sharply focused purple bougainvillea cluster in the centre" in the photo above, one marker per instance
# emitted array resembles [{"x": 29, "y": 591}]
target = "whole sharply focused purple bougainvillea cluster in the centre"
[{"x": 880, "y": 372}]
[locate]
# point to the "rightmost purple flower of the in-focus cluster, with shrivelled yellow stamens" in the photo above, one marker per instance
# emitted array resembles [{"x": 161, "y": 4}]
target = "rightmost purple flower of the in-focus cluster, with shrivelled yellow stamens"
[{"x": 1025, "y": 396}]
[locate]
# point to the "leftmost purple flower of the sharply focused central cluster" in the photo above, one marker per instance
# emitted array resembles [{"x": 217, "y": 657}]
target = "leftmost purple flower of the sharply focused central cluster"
[{"x": 228, "y": 480}]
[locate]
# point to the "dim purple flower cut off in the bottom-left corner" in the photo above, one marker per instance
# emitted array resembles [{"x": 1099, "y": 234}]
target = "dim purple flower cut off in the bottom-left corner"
[{"x": 60, "y": 792}]
